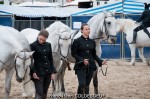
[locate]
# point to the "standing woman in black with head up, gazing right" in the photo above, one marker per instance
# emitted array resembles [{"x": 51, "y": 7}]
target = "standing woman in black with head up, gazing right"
[{"x": 84, "y": 51}]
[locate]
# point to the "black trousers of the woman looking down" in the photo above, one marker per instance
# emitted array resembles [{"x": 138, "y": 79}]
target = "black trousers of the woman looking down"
[{"x": 41, "y": 86}]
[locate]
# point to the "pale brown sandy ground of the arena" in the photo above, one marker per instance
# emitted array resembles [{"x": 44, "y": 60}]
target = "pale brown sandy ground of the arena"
[{"x": 122, "y": 82}]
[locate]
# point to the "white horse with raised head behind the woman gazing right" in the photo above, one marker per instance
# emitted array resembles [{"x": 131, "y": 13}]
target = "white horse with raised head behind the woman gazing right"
[{"x": 101, "y": 26}]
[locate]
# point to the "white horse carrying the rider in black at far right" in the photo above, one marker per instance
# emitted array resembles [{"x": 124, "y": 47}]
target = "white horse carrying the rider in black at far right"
[{"x": 127, "y": 26}]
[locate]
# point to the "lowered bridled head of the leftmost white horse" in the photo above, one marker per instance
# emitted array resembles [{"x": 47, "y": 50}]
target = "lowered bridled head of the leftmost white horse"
[{"x": 22, "y": 63}]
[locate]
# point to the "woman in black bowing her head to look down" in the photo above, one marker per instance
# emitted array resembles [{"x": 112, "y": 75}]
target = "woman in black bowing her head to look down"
[{"x": 43, "y": 69}]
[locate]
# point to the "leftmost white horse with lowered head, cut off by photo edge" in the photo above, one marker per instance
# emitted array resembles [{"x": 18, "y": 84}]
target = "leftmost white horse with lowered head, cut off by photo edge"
[{"x": 14, "y": 55}]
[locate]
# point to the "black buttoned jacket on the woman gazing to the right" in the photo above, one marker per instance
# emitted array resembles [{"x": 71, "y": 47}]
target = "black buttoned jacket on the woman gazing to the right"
[{"x": 84, "y": 48}]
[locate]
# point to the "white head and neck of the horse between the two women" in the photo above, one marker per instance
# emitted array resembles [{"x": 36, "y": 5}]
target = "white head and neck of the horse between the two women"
[{"x": 60, "y": 38}]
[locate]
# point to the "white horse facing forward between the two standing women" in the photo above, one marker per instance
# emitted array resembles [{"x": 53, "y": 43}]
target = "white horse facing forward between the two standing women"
[{"x": 60, "y": 39}]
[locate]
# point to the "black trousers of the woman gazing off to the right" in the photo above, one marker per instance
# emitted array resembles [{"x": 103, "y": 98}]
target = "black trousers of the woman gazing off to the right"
[{"x": 84, "y": 78}]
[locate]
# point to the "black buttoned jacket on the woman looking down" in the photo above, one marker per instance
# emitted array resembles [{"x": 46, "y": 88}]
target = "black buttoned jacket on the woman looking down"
[{"x": 43, "y": 60}]
